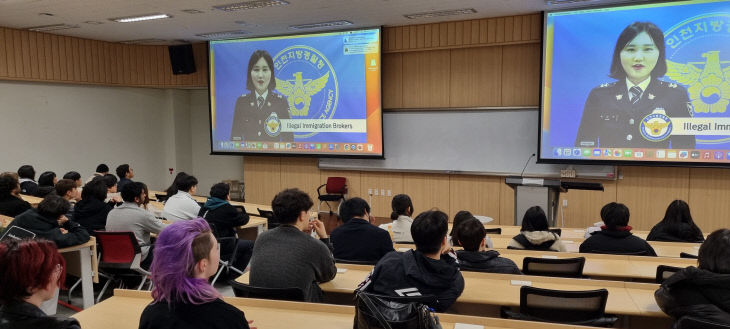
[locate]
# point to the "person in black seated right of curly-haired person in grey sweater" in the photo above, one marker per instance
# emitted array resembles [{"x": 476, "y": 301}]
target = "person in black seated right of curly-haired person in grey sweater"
[{"x": 357, "y": 238}]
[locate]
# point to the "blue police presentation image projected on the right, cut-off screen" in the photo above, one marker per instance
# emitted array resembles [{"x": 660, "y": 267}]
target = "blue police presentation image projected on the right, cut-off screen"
[{"x": 637, "y": 83}]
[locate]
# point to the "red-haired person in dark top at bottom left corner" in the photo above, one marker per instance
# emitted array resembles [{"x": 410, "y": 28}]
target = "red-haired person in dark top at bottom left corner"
[{"x": 30, "y": 271}]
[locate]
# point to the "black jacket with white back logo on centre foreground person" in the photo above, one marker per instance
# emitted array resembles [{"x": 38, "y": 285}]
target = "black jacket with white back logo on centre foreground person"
[{"x": 411, "y": 273}]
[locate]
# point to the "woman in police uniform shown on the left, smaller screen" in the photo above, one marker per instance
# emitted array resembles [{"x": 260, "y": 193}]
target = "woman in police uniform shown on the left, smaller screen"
[{"x": 258, "y": 114}]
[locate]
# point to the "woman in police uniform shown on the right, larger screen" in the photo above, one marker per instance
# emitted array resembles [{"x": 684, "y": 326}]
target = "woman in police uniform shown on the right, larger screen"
[{"x": 635, "y": 111}]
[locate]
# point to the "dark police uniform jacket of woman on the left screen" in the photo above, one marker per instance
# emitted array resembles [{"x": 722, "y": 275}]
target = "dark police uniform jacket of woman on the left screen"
[{"x": 249, "y": 122}]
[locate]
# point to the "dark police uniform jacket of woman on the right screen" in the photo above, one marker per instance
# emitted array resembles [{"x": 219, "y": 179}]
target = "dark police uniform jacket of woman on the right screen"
[{"x": 611, "y": 120}]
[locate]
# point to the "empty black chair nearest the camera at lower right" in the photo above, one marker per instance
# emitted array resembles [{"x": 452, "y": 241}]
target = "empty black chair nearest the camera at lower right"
[{"x": 568, "y": 307}]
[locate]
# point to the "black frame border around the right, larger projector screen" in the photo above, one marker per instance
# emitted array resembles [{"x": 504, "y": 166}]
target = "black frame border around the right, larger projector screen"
[{"x": 541, "y": 159}]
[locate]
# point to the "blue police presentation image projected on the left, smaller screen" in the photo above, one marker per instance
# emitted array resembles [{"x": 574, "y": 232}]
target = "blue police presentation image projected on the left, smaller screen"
[{"x": 314, "y": 94}]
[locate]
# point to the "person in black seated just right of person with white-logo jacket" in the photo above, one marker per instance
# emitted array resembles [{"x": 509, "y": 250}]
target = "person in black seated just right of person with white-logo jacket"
[{"x": 475, "y": 256}]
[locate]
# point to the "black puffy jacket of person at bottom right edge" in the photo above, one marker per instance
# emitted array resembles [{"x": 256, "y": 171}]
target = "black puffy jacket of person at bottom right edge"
[{"x": 698, "y": 293}]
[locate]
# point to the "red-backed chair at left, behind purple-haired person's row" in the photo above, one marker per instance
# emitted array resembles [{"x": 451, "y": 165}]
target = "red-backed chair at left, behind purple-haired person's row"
[{"x": 120, "y": 256}]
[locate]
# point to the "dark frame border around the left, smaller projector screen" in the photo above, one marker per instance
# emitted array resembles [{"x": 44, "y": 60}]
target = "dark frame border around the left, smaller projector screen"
[{"x": 303, "y": 155}]
